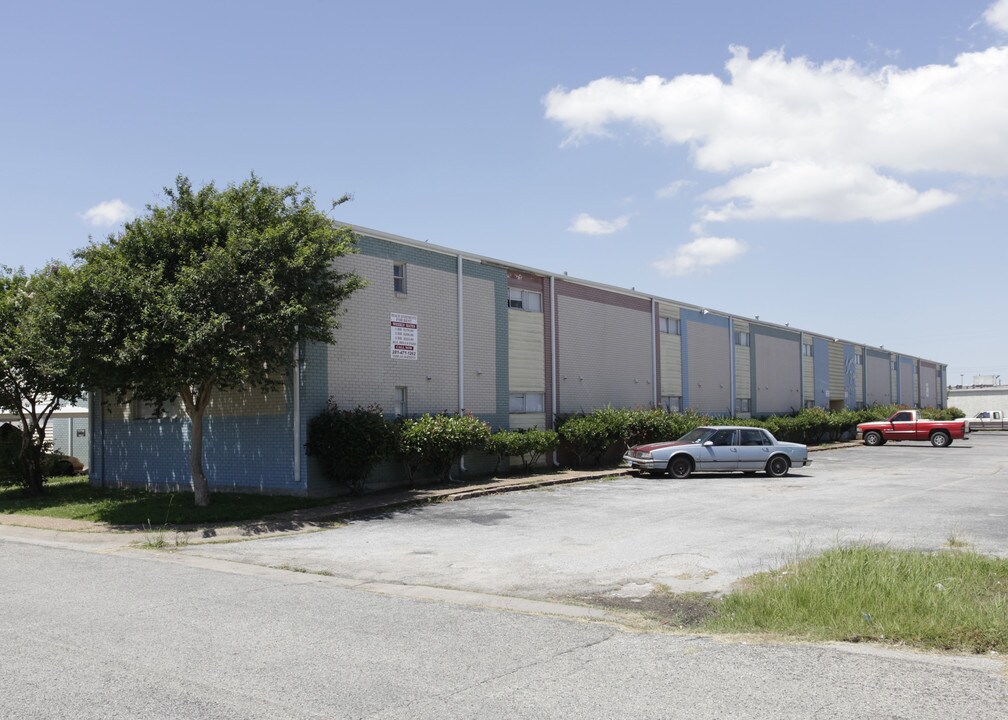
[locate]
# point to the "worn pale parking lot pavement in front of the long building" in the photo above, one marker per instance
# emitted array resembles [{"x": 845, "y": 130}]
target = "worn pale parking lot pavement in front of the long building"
[{"x": 629, "y": 534}]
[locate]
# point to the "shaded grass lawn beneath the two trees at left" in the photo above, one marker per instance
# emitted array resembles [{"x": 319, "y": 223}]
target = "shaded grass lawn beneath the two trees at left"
[{"x": 74, "y": 499}]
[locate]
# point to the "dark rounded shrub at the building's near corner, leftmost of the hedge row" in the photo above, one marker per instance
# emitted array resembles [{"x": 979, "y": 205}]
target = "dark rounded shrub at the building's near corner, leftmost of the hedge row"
[{"x": 350, "y": 443}]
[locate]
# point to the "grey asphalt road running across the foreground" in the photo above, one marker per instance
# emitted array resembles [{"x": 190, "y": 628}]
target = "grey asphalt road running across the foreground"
[{"x": 145, "y": 635}]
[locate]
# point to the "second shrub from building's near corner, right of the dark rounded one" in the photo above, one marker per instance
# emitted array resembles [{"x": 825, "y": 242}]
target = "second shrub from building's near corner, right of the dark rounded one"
[{"x": 440, "y": 441}]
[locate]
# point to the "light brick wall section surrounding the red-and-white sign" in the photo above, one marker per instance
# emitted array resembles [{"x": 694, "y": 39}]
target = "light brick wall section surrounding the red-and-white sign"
[{"x": 361, "y": 370}]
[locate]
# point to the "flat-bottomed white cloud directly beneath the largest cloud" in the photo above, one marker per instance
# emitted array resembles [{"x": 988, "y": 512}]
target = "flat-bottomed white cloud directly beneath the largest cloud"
[{"x": 832, "y": 193}]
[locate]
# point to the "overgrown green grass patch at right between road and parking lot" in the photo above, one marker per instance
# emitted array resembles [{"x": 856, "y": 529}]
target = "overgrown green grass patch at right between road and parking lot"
[{"x": 949, "y": 601}]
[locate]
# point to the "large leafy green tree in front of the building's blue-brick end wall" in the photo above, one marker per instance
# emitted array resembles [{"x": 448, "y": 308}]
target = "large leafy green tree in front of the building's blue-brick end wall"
[{"x": 211, "y": 292}]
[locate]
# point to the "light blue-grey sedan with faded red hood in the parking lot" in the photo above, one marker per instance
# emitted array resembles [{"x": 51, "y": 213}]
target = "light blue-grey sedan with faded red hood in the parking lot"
[{"x": 719, "y": 450}]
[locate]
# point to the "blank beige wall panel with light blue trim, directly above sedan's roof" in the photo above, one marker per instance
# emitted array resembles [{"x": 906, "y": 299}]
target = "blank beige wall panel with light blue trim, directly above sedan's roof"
[{"x": 710, "y": 369}]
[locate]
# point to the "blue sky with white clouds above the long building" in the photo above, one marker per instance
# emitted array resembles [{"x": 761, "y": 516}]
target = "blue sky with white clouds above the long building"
[{"x": 839, "y": 167}]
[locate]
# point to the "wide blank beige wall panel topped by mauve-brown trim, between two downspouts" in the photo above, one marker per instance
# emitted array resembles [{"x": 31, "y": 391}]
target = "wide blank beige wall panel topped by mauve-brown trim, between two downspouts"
[{"x": 605, "y": 355}]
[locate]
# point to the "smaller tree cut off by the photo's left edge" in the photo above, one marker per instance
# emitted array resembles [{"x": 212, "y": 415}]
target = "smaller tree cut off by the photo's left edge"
[{"x": 38, "y": 369}]
